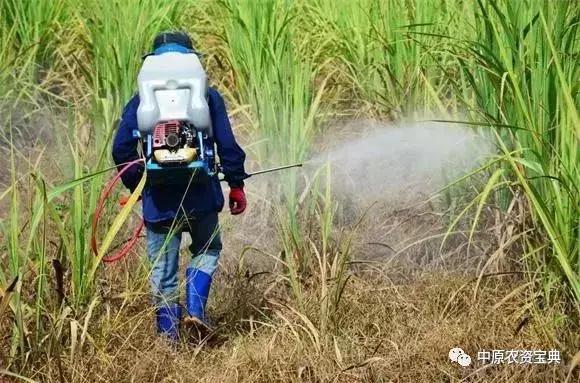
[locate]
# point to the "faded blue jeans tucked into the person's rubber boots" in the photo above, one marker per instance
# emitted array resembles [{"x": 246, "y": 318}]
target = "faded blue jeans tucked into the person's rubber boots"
[{"x": 163, "y": 253}]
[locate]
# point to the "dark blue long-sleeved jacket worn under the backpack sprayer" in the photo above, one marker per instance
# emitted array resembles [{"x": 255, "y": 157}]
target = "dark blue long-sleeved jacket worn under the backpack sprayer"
[{"x": 161, "y": 202}]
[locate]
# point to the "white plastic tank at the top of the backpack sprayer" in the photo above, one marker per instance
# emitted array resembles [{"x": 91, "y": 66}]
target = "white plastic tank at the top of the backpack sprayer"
[{"x": 172, "y": 86}]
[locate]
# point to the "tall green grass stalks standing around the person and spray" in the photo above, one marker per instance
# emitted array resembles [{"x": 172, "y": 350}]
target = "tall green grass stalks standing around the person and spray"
[{"x": 510, "y": 66}]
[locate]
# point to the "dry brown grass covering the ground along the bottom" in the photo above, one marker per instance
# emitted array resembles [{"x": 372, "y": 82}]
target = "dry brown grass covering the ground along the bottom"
[{"x": 387, "y": 332}]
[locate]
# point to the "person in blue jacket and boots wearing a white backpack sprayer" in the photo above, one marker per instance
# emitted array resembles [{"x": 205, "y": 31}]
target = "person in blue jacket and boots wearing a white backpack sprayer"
[{"x": 177, "y": 122}]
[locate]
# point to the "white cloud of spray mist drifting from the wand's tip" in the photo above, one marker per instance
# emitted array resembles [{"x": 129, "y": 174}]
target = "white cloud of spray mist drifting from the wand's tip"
[{"x": 401, "y": 162}]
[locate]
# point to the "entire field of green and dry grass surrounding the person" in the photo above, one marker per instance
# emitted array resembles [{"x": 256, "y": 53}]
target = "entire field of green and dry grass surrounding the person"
[{"x": 312, "y": 288}]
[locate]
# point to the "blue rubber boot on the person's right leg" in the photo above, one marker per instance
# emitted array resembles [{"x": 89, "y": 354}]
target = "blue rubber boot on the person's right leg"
[{"x": 196, "y": 293}]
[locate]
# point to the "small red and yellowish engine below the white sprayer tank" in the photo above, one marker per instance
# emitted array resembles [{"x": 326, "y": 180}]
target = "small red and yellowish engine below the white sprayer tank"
[{"x": 174, "y": 142}]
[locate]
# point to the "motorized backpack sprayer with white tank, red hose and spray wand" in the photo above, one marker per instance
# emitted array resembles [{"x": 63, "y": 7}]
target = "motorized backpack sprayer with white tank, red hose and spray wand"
[{"x": 175, "y": 130}]
